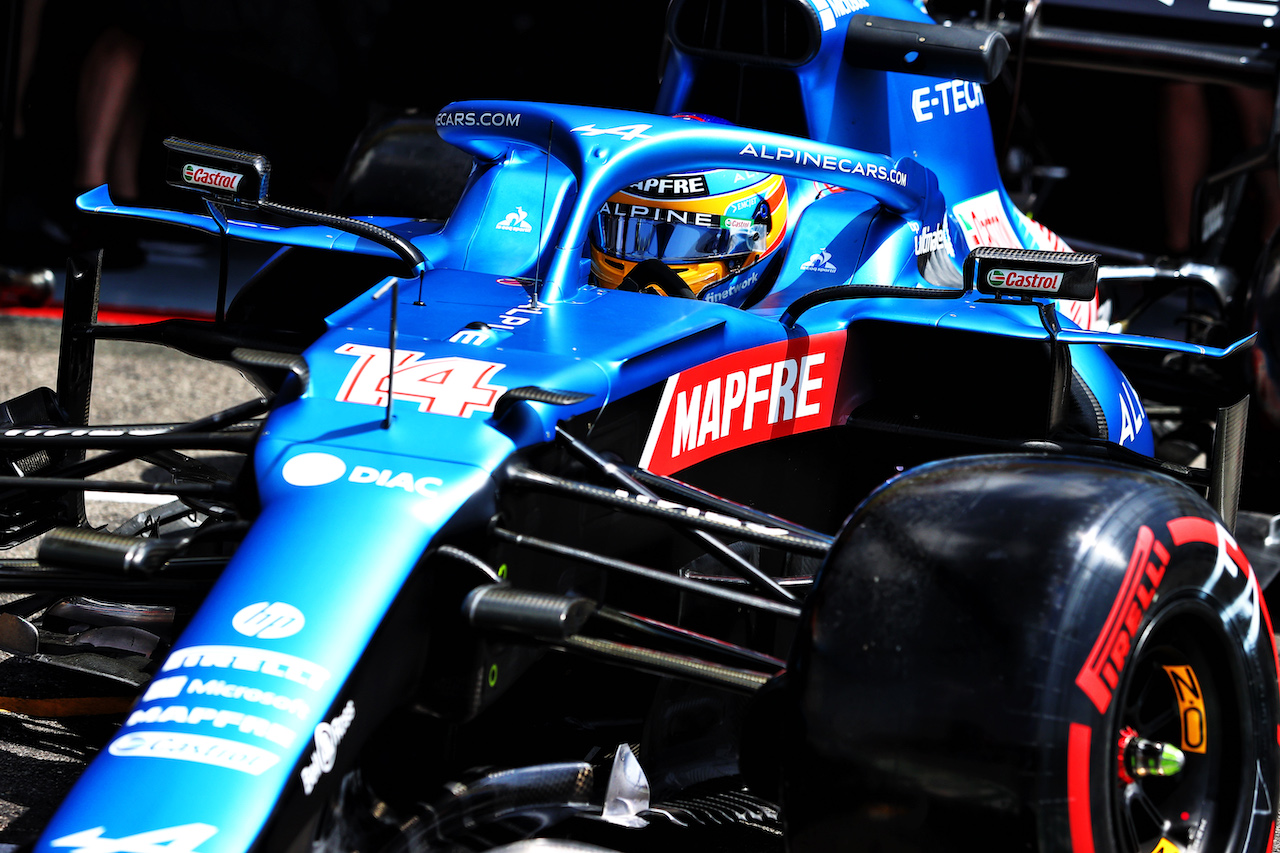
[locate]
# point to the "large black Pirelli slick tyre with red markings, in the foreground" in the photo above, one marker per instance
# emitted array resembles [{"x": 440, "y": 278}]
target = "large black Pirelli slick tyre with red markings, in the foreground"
[{"x": 1032, "y": 654}]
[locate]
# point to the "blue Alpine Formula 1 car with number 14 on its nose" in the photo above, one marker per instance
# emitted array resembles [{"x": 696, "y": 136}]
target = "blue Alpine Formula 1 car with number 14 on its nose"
[{"x": 693, "y": 486}]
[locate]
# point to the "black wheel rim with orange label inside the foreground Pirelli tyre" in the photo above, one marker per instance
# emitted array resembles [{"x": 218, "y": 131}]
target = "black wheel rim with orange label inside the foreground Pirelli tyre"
[{"x": 1185, "y": 687}]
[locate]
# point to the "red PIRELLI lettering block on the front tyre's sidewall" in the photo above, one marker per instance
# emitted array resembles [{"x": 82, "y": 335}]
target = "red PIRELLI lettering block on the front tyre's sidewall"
[{"x": 1101, "y": 672}]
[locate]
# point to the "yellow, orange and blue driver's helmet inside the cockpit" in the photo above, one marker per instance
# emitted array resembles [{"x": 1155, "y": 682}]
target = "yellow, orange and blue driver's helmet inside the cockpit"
[{"x": 711, "y": 229}]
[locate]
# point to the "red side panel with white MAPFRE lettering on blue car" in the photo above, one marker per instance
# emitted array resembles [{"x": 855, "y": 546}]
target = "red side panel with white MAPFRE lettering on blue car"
[{"x": 748, "y": 398}]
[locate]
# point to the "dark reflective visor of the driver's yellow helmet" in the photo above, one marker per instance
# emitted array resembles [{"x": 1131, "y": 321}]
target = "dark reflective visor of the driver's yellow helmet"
[{"x": 674, "y": 236}]
